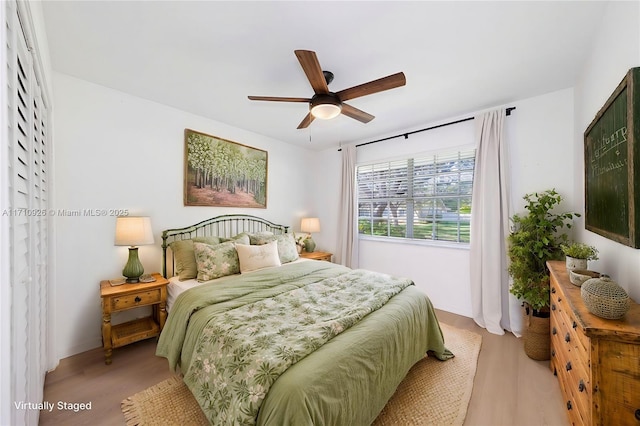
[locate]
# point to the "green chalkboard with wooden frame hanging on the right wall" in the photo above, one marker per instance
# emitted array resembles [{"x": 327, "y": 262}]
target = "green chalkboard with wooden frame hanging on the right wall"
[{"x": 612, "y": 165}]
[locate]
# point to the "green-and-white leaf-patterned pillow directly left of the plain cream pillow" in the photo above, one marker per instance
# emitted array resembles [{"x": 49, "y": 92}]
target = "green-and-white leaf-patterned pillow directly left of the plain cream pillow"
[{"x": 216, "y": 261}]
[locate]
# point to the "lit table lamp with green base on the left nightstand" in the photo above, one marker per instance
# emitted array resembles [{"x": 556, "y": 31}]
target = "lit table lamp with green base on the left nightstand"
[{"x": 133, "y": 231}]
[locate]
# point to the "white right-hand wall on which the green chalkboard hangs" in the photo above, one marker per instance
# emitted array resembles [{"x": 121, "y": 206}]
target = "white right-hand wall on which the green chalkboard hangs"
[{"x": 616, "y": 48}]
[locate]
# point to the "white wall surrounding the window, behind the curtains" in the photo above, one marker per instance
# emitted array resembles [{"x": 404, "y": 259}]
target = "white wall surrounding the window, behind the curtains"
[{"x": 539, "y": 132}]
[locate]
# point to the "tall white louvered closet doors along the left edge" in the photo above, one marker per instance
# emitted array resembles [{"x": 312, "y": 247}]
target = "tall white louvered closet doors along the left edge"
[{"x": 27, "y": 153}]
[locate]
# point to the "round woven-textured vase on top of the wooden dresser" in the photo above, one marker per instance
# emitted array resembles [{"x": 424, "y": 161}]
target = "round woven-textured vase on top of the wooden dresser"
[{"x": 604, "y": 298}]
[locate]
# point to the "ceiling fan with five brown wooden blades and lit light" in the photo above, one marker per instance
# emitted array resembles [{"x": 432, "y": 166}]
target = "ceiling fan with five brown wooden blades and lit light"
[{"x": 326, "y": 104}]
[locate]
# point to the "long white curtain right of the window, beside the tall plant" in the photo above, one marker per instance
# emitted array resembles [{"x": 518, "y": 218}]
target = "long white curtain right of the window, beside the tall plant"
[{"x": 493, "y": 307}]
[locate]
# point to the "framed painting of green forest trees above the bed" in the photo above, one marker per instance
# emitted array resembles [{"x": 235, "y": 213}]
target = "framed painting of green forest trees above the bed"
[{"x": 222, "y": 173}]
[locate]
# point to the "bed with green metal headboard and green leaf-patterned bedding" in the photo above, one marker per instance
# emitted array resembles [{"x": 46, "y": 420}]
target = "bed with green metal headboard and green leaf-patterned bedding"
[{"x": 295, "y": 342}]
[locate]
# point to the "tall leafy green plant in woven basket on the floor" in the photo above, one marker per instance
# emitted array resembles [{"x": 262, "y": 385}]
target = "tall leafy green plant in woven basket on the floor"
[{"x": 535, "y": 238}]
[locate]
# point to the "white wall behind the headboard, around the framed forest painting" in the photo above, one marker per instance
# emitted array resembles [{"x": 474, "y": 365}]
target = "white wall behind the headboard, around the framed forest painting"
[{"x": 116, "y": 151}]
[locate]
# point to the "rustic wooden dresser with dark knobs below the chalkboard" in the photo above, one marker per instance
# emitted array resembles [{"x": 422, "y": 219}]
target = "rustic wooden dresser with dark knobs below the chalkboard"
[{"x": 597, "y": 361}]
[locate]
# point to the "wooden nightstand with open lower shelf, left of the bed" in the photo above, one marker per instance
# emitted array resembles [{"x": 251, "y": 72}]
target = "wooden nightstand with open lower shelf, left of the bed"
[{"x": 129, "y": 296}]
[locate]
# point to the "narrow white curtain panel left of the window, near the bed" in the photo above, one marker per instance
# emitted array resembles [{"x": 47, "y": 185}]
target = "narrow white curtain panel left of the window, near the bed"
[{"x": 347, "y": 250}]
